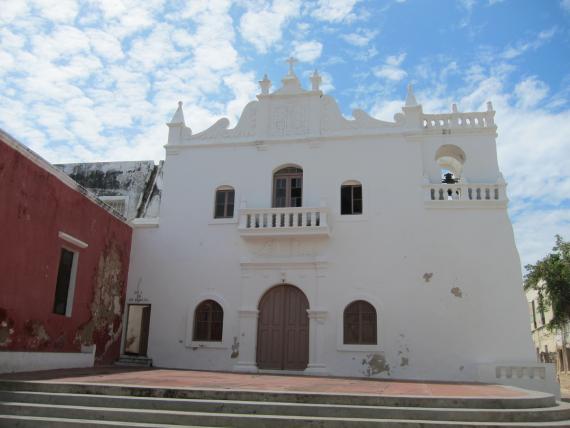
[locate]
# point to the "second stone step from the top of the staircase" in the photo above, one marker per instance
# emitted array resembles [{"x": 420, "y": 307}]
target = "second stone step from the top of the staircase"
[{"x": 560, "y": 412}]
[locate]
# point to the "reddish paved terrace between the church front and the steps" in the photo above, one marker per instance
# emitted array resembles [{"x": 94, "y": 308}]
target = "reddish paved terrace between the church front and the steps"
[{"x": 264, "y": 382}]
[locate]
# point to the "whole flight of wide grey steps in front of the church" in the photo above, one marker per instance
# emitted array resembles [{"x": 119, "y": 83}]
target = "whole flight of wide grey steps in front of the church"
[{"x": 45, "y": 404}]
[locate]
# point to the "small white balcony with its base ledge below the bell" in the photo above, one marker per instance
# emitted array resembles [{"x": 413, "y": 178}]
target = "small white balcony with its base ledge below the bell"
[{"x": 465, "y": 194}]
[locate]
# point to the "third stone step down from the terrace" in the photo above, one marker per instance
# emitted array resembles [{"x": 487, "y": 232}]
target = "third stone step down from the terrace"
[{"x": 175, "y": 418}]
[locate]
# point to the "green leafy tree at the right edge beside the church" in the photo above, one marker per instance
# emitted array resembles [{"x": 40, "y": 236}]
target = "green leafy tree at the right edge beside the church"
[{"x": 550, "y": 277}]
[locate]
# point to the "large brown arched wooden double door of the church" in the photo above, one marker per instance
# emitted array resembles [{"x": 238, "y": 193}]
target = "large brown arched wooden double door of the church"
[{"x": 283, "y": 329}]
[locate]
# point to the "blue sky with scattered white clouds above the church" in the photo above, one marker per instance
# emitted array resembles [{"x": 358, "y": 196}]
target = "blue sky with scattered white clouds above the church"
[{"x": 97, "y": 80}]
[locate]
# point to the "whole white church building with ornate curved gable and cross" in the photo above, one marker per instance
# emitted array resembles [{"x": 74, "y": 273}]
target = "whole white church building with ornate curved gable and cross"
[{"x": 301, "y": 241}]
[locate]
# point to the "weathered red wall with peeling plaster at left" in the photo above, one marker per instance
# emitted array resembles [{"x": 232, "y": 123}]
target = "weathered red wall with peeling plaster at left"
[{"x": 34, "y": 207}]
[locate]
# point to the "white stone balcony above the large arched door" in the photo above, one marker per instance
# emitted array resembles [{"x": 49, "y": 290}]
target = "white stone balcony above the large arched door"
[{"x": 294, "y": 221}]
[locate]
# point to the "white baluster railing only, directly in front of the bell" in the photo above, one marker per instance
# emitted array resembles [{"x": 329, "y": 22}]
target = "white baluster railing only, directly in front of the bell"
[{"x": 465, "y": 192}]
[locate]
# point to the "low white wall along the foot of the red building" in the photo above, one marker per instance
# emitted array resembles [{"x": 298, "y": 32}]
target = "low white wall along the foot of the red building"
[{"x": 33, "y": 361}]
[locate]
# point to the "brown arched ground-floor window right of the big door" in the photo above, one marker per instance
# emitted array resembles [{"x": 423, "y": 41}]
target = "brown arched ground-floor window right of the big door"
[{"x": 360, "y": 324}]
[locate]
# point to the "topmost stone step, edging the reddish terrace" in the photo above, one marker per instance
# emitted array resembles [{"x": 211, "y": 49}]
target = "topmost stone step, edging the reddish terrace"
[{"x": 534, "y": 400}]
